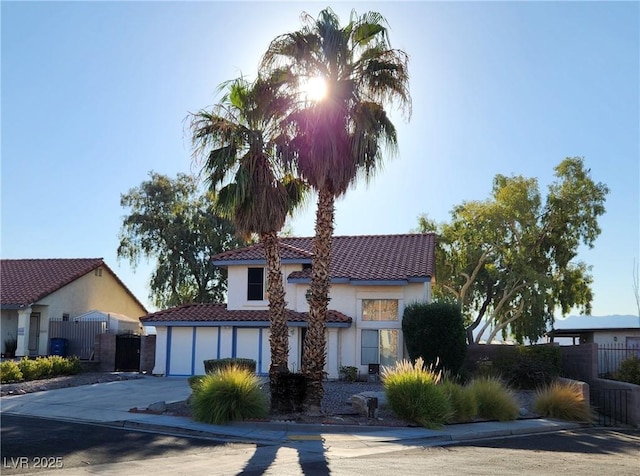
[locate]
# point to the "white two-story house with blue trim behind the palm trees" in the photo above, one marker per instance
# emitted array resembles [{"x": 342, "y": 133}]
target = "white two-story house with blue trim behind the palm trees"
[{"x": 373, "y": 278}]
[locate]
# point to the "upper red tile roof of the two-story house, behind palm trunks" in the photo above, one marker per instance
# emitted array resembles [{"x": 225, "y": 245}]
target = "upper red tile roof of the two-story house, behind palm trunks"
[{"x": 355, "y": 258}]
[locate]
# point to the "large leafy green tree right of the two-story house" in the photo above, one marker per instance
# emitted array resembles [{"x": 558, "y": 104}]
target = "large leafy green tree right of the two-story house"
[{"x": 510, "y": 260}]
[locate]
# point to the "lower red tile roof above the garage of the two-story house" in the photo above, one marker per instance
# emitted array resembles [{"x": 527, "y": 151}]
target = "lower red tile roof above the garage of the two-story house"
[{"x": 220, "y": 313}]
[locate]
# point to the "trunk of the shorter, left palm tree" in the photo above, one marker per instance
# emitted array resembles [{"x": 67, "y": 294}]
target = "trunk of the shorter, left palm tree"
[{"x": 279, "y": 338}]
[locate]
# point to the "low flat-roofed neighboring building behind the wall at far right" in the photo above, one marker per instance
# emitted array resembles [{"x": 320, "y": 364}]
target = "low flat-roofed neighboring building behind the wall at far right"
[{"x": 601, "y": 330}]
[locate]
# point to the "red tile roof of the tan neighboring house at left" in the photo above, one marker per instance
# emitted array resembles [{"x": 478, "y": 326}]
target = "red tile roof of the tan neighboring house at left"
[{"x": 24, "y": 282}]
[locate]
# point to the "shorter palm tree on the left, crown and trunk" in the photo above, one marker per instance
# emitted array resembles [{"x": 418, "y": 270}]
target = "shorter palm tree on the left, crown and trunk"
[{"x": 257, "y": 193}]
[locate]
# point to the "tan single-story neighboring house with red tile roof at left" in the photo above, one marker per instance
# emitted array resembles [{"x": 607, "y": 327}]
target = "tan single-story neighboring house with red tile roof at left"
[{"x": 36, "y": 291}]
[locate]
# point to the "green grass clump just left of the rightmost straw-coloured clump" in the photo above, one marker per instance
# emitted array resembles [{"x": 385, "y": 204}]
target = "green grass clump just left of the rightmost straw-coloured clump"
[{"x": 495, "y": 401}]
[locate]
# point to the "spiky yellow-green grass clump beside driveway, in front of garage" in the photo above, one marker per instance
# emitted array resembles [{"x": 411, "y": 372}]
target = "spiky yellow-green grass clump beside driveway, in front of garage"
[{"x": 229, "y": 394}]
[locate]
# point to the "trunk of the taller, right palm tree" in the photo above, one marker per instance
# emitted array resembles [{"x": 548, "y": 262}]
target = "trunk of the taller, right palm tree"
[{"x": 314, "y": 351}]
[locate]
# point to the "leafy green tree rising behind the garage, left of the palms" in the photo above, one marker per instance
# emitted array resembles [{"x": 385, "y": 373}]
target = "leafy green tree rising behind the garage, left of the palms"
[{"x": 173, "y": 222}]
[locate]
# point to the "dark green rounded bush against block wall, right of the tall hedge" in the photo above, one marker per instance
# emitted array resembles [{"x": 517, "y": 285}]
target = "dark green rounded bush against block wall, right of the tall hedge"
[{"x": 531, "y": 366}]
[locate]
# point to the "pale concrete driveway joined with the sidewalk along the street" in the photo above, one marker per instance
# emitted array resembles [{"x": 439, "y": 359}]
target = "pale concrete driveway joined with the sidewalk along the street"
[{"x": 109, "y": 404}]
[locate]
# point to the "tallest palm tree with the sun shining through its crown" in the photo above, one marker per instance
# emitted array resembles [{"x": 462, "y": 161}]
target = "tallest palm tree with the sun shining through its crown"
[{"x": 338, "y": 139}]
